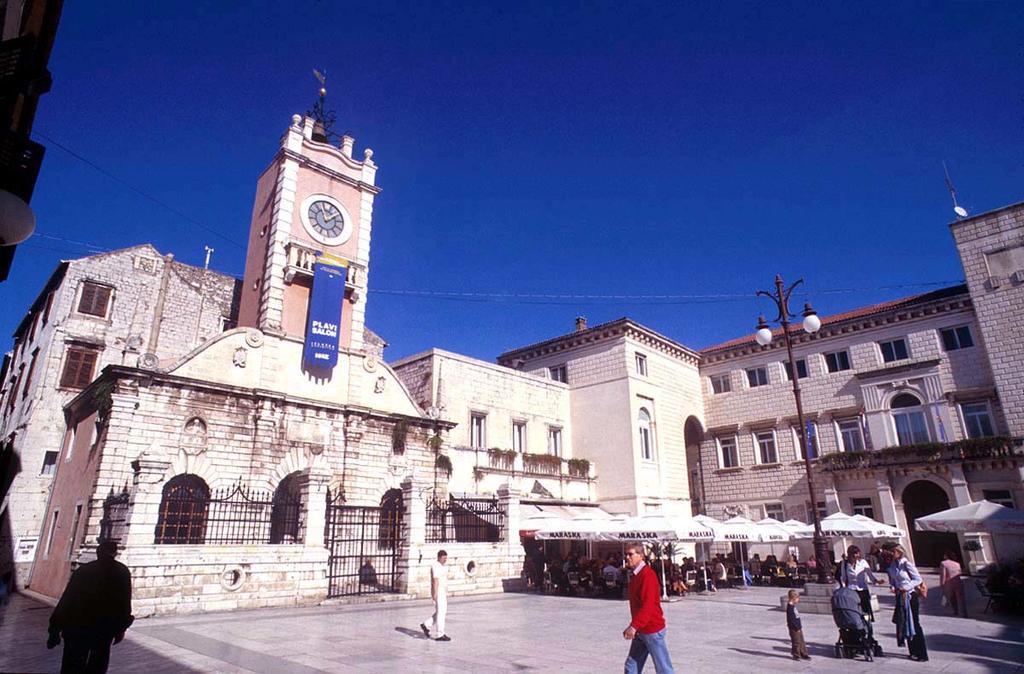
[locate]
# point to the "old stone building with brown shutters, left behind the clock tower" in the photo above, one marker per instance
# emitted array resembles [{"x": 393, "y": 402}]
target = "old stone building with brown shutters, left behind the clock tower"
[{"x": 121, "y": 308}]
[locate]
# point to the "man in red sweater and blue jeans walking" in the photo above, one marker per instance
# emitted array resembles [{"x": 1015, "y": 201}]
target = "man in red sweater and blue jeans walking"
[{"x": 647, "y": 630}]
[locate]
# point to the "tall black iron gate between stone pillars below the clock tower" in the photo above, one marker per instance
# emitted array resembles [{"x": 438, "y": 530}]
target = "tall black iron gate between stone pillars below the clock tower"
[{"x": 363, "y": 543}]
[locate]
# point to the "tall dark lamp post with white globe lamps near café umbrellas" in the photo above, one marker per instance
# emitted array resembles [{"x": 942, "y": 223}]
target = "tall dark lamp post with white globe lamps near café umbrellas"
[{"x": 781, "y": 297}]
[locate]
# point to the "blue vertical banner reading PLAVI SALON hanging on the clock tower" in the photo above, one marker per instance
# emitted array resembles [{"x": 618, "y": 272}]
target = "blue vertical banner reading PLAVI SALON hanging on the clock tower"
[{"x": 324, "y": 324}]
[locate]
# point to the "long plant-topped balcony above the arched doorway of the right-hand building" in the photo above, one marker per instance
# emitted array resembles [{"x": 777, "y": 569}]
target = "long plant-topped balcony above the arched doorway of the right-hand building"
[{"x": 968, "y": 451}]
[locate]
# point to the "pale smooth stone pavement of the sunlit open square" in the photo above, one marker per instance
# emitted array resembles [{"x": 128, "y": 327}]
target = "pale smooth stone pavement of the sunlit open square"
[{"x": 735, "y": 631}]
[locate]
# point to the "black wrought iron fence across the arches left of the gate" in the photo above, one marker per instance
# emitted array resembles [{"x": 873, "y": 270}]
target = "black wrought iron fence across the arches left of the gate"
[{"x": 190, "y": 514}]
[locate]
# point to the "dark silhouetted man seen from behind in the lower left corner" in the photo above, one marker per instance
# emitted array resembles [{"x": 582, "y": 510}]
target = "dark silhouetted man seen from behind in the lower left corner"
[{"x": 95, "y": 612}]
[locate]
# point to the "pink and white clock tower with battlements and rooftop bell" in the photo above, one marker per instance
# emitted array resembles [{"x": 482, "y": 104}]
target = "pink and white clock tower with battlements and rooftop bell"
[{"x": 314, "y": 204}]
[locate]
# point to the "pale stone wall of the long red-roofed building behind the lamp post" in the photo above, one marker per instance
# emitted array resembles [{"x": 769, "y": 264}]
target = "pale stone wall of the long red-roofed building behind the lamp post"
[{"x": 942, "y": 378}]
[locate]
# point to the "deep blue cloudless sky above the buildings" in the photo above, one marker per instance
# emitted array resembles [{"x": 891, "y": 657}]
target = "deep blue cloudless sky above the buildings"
[{"x": 565, "y": 149}]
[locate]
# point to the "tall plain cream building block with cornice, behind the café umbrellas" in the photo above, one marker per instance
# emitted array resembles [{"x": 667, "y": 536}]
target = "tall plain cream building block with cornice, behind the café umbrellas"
[{"x": 632, "y": 393}]
